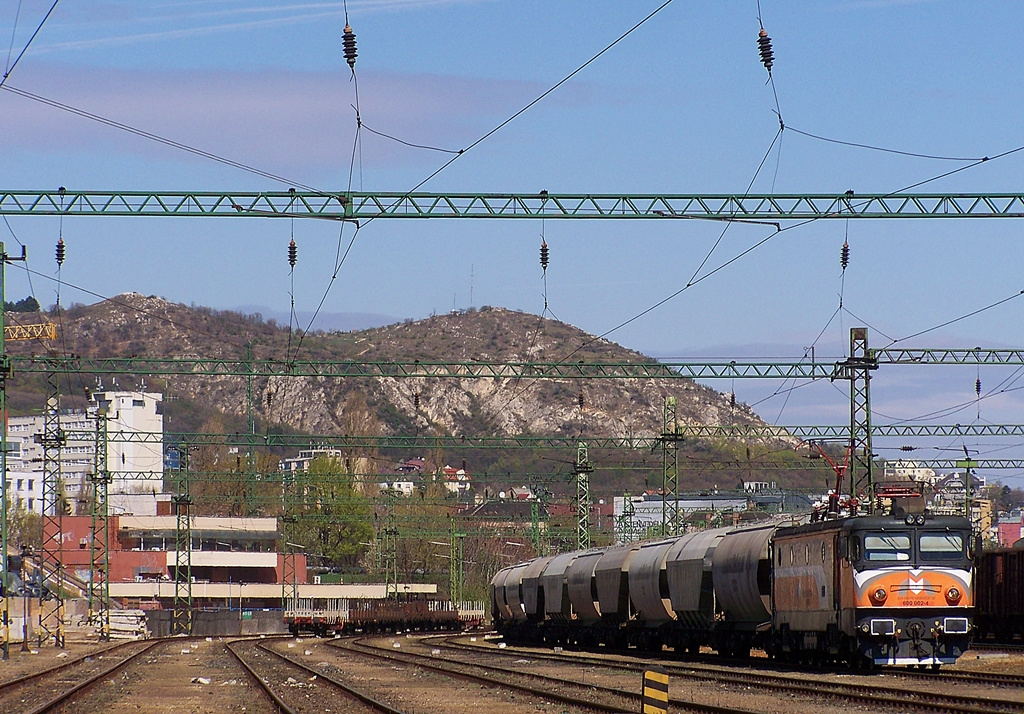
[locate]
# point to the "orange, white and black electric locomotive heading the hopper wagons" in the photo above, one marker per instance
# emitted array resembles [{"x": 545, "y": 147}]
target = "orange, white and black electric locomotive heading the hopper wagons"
[{"x": 882, "y": 591}]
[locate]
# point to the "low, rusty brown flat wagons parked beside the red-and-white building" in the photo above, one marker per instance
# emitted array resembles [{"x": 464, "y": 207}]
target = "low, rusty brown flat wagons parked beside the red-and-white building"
[{"x": 328, "y": 617}]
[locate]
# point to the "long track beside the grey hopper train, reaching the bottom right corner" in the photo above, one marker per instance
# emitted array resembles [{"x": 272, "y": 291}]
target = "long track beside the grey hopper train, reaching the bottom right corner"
[{"x": 863, "y": 694}]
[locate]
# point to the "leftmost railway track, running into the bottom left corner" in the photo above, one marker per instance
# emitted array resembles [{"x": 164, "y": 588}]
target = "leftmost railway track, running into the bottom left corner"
[{"x": 39, "y": 693}]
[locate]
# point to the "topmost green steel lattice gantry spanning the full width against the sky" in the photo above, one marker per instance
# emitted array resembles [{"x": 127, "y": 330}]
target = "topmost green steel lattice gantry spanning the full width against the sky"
[{"x": 365, "y": 206}]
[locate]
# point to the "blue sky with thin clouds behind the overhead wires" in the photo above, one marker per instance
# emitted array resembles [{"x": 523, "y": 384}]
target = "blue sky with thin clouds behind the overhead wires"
[{"x": 680, "y": 106}]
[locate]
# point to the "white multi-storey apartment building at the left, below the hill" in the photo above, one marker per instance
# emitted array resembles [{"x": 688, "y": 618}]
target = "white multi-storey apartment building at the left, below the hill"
[{"x": 135, "y": 454}]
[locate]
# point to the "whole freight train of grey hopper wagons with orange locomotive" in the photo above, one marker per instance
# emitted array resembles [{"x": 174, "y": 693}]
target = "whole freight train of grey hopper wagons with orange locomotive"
[{"x": 866, "y": 592}]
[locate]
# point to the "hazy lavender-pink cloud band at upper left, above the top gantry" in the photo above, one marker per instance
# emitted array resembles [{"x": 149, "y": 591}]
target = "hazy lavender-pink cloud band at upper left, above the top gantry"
[{"x": 296, "y": 123}]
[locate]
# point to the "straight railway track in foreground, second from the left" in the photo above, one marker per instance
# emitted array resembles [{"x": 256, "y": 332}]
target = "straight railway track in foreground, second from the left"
[{"x": 293, "y": 696}]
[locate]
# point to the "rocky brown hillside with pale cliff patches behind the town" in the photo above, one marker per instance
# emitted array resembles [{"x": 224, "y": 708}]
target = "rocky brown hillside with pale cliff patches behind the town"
[{"x": 136, "y": 325}]
